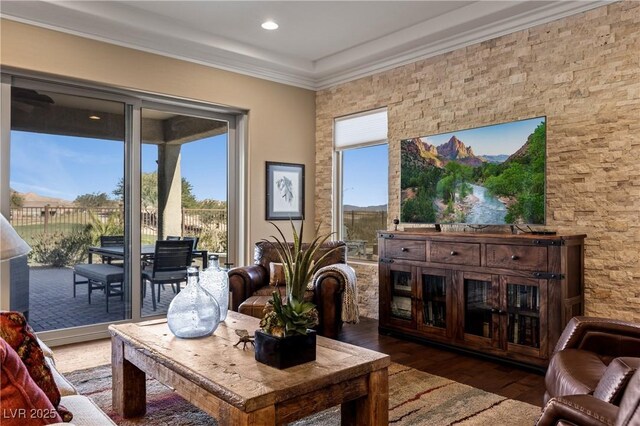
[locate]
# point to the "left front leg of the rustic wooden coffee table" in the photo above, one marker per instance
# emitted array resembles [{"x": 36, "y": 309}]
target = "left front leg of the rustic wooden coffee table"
[{"x": 129, "y": 385}]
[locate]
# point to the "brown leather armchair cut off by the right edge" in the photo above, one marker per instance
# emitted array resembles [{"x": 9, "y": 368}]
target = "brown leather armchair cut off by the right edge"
[{"x": 594, "y": 356}]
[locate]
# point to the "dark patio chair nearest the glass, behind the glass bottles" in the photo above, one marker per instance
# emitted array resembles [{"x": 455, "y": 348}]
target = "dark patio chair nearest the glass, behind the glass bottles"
[{"x": 170, "y": 262}]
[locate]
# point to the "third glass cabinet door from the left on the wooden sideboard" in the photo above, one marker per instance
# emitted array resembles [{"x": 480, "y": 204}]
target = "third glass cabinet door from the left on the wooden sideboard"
[{"x": 478, "y": 307}]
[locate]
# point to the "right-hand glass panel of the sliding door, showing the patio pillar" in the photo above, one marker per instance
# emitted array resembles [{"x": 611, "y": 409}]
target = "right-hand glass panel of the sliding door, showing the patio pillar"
[{"x": 183, "y": 188}]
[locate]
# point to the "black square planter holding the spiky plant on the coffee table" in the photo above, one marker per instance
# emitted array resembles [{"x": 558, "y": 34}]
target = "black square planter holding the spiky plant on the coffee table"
[{"x": 285, "y": 352}]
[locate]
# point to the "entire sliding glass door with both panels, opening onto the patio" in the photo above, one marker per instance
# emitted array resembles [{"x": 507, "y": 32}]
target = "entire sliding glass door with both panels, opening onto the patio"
[{"x": 91, "y": 178}]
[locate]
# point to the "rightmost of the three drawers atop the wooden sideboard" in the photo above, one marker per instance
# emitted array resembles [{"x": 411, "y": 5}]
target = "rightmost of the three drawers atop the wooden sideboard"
[{"x": 517, "y": 257}]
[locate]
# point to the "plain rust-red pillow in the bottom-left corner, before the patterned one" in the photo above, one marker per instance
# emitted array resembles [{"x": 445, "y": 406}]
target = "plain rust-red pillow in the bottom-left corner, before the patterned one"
[{"x": 23, "y": 402}]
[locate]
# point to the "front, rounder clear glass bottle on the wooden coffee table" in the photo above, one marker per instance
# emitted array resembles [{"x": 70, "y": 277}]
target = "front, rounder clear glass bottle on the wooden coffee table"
[{"x": 193, "y": 312}]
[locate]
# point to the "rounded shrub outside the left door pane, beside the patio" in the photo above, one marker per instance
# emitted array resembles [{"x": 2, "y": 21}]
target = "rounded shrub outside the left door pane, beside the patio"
[{"x": 60, "y": 249}]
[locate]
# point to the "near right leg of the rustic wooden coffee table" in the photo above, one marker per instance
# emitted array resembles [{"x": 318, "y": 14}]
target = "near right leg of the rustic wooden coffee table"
[{"x": 372, "y": 409}]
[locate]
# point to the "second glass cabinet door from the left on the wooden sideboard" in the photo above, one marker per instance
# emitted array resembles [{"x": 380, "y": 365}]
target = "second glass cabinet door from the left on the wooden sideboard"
[{"x": 433, "y": 298}]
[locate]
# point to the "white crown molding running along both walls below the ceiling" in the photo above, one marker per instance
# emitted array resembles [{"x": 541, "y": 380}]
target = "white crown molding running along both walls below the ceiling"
[{"x": 117, "y": 24}]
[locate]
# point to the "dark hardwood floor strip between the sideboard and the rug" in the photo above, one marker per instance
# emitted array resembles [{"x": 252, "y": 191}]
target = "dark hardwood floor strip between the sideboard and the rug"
[{"x": 492, "y": 376}]
